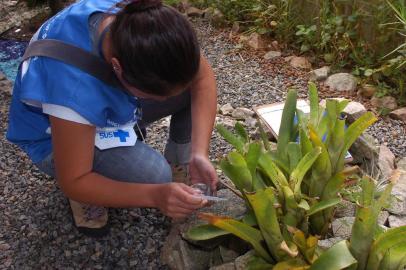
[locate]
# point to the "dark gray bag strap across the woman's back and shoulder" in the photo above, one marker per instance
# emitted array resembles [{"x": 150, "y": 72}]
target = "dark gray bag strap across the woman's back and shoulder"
[{"x": 75, "y": 56}]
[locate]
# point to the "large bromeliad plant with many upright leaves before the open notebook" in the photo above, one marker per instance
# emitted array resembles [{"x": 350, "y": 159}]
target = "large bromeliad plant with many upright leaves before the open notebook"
[{"x": 290, "y": 192}]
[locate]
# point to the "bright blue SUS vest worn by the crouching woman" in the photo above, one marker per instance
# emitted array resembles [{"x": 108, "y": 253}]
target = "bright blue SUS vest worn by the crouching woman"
[{"x": 51, "y": 81}]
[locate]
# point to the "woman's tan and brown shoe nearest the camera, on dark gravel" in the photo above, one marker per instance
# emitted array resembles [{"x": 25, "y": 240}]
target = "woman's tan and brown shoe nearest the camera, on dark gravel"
[{"x": 90, "y": 220}]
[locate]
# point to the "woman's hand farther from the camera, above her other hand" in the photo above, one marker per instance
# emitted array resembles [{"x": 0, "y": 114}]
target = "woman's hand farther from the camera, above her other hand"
[{"x": 202, "y": 171}]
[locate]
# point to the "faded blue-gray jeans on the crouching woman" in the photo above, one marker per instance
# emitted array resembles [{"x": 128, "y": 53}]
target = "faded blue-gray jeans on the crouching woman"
[{"x": 141, "y": 163}]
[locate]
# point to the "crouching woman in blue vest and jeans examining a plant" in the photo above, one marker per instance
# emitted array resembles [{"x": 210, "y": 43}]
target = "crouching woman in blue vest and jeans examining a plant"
[{"x": 90, "y": 135}]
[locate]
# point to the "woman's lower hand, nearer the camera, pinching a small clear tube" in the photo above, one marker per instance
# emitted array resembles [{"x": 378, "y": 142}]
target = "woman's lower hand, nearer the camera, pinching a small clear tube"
[{"x": 178, "y": 200}]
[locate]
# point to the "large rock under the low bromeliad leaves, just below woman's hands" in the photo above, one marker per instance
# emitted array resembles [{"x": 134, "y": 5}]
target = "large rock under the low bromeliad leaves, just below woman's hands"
[{"x": 180, "y": 255}]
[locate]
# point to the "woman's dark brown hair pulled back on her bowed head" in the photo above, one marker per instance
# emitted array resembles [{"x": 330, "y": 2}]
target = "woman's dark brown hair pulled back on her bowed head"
[{"x": 156, "y": 46}]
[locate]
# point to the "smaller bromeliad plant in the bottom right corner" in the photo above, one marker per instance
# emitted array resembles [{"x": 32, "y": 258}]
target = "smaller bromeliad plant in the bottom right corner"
[{"x": 372, "y": 248}]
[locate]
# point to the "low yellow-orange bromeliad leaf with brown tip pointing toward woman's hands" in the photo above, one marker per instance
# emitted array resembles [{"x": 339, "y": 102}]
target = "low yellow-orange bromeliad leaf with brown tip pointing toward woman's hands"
[{"x": 241, "y": 230}]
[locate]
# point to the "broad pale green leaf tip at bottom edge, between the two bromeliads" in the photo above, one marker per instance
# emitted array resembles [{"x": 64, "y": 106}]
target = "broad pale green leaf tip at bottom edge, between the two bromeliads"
[{"x": 335, "y": 258}]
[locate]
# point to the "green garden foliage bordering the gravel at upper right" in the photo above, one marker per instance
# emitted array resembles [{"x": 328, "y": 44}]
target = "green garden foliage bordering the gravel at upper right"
[{"x": 365, "y": 36}]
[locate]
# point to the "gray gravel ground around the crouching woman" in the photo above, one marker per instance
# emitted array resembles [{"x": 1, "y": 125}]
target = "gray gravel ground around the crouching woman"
[{"x": 35, "y": 228}]
